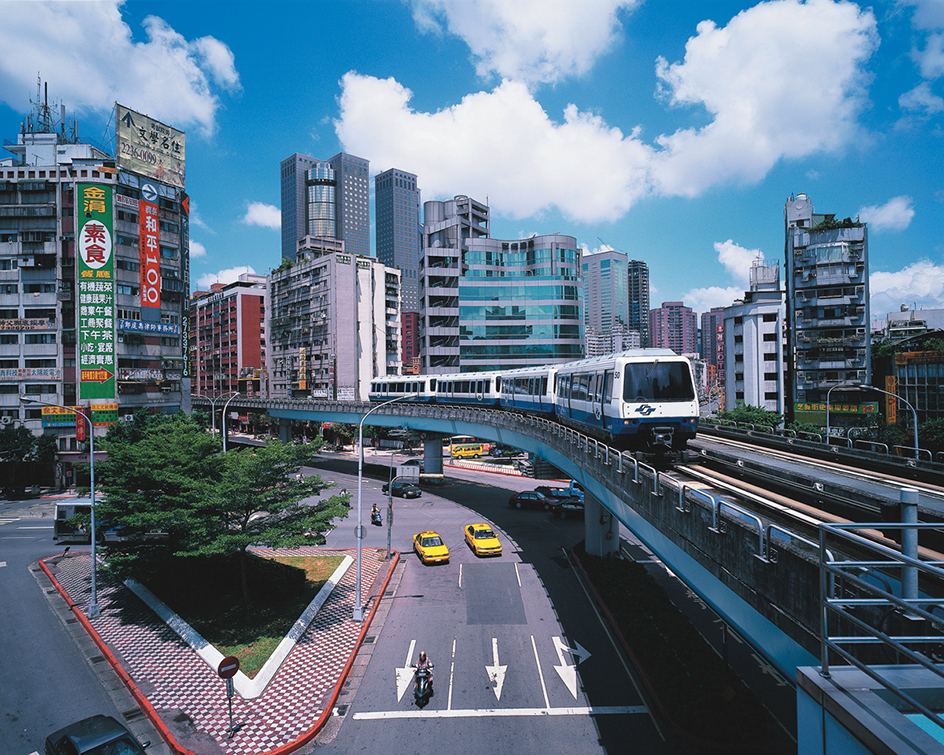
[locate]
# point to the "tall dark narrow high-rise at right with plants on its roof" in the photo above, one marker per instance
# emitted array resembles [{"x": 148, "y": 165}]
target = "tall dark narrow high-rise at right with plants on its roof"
[{"x": 827, "y": 308}]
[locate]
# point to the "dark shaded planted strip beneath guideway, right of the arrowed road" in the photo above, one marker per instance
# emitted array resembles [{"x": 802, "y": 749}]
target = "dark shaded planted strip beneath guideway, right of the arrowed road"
[{"x": 699, "y": 693}]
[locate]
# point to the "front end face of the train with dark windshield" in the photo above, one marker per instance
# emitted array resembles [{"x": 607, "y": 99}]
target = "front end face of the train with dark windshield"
[{"x": 657, "y": 400}]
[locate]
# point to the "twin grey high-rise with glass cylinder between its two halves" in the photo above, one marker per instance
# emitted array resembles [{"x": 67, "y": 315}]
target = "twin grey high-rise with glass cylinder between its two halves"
[{"x": 326, "y": 199}]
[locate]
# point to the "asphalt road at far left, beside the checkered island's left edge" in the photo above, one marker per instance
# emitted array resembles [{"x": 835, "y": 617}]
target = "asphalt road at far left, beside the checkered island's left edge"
[{"x": 49, "y": 678}]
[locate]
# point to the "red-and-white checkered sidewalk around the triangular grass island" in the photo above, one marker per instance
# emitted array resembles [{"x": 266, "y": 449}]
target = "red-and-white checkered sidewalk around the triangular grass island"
[{"x": 183, "y": 695}]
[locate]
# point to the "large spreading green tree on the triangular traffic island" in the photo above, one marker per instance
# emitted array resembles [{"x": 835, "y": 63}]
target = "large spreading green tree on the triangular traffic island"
[{"x": 167, "y": 474}]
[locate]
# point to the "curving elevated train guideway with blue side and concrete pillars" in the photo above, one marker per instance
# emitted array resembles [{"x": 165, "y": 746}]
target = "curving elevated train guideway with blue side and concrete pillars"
[{"x": 748, "y": 547}]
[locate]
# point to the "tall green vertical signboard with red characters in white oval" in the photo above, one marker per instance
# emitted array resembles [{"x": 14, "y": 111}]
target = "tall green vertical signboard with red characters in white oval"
[{"x": 96, "y": 271}]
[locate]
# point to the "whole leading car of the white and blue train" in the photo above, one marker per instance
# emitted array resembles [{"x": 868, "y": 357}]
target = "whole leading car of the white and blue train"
[{"x": 642, "y": 400}]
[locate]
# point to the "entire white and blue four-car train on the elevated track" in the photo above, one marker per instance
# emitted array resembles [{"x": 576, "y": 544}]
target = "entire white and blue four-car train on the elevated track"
[{"x": 643, "y": 399}]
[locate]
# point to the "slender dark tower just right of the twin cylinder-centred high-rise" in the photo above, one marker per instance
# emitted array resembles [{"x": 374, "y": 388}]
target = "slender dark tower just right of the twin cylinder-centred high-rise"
[{"x": 398, "y": 234}]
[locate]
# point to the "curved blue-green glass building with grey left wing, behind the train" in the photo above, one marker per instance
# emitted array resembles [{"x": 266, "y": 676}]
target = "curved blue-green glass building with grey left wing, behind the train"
[{"x": 516, "y": 303}]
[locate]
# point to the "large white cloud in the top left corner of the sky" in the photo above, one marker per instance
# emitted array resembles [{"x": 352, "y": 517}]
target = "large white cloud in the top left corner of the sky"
[{"x": 90, "y": 48}]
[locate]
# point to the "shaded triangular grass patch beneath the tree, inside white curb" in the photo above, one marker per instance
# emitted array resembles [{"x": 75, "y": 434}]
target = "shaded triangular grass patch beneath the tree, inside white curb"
[{"x": 207, "y": 594}]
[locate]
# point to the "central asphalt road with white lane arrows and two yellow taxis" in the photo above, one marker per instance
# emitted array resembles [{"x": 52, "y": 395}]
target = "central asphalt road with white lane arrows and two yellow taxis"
[{"x": 525, "y": 613}]
